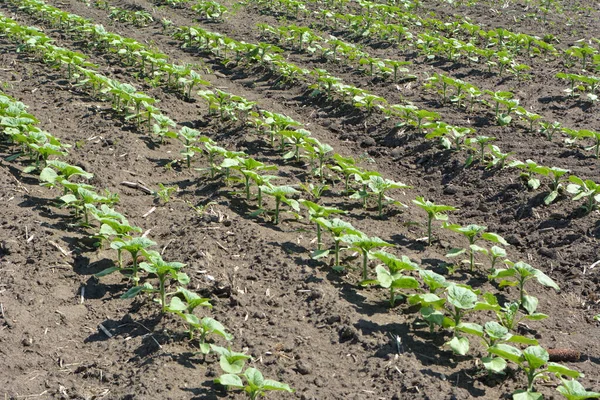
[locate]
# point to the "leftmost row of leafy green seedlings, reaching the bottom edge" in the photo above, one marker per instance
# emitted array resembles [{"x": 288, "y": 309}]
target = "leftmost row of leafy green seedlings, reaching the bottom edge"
[{"x": 85, "y": 201}]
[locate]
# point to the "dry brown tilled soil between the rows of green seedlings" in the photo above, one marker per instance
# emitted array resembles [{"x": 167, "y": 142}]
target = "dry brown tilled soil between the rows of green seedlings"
[{"x": 303, "y": 323}]
